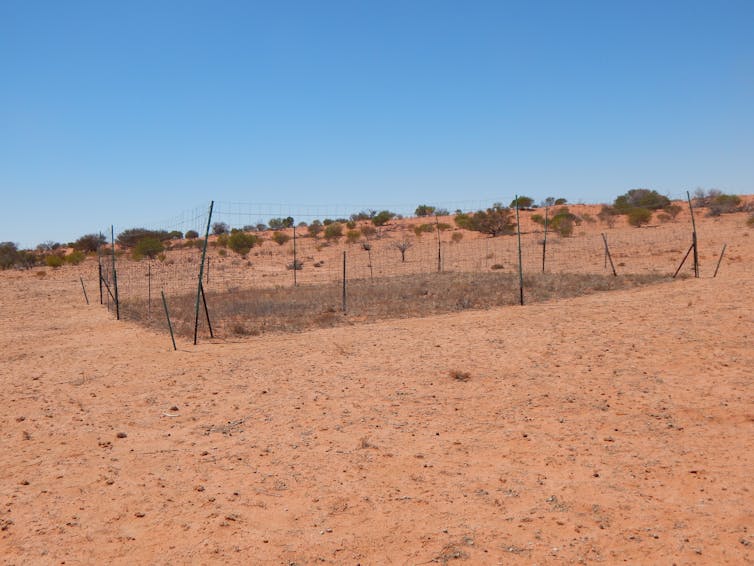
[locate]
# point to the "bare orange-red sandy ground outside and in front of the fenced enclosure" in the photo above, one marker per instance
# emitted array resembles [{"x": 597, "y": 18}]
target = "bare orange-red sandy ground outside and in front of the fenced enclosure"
[{"x": 617, "y": 427}]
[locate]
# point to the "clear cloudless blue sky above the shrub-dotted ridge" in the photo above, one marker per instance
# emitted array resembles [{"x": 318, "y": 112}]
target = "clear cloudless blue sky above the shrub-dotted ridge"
[{"x": 129, "y": 112}]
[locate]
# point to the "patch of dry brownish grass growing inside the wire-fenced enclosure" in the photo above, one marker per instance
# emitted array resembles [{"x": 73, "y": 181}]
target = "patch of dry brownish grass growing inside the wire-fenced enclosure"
[{"x": 289, "y": 309}]
